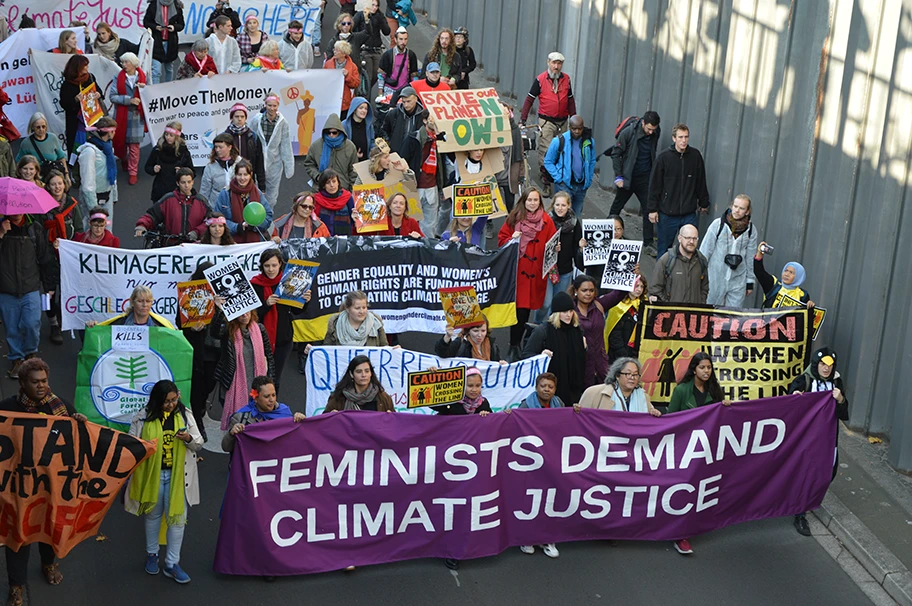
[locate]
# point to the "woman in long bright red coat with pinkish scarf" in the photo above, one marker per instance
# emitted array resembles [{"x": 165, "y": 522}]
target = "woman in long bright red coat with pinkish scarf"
[{"x": 532, "y": 227}]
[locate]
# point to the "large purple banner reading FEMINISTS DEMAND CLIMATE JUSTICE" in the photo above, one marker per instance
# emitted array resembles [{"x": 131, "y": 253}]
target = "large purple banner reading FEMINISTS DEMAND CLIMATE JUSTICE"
[{"x": 360, "y": 488}]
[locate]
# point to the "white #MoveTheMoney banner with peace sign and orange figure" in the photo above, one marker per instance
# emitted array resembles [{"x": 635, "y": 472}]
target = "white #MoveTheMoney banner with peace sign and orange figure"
[{"x": 201, "y": 105}]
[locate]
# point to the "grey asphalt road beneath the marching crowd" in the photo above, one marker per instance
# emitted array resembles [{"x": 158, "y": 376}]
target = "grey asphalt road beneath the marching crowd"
[{"x": 755, "y": 563}]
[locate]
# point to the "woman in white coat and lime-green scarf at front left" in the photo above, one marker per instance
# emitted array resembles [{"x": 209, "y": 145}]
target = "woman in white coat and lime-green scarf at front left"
[{"x": 167, "y": 483}]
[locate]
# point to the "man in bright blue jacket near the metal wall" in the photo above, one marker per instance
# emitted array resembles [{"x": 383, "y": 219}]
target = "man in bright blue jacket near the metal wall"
[{"x": 571, "y": 162}]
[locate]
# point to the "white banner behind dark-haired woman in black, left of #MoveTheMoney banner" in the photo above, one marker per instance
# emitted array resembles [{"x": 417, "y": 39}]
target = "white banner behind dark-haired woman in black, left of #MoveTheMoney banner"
[{"x": 48, "y": 70}]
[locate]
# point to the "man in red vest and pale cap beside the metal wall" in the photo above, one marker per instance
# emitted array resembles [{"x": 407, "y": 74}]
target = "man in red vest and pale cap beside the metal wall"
[{"x": 555, "y": 106}]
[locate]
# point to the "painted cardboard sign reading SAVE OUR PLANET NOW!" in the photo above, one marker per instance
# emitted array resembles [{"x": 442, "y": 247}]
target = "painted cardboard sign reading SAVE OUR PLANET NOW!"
[{"x": 471, "y": 119}]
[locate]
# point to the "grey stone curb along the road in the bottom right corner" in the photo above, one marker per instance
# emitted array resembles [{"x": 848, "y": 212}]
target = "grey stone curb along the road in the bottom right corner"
[{"x": 881, "y": 564}]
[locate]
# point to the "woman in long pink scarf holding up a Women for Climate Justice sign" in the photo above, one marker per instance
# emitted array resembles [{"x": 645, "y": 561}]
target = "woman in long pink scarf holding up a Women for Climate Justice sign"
[{"x": 246, "y": 353}]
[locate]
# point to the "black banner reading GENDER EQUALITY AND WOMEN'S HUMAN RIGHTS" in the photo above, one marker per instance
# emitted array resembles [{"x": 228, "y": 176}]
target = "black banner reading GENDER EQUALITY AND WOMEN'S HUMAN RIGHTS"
[{"x": 401, "y": 278}]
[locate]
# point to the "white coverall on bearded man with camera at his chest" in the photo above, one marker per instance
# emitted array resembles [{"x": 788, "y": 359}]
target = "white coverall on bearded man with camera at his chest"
[{"x": 728, "y": 286}]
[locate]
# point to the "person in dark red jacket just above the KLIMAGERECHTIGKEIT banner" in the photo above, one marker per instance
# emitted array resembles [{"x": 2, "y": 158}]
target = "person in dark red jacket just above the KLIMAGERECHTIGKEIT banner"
[{"x": 181, "y": 213}]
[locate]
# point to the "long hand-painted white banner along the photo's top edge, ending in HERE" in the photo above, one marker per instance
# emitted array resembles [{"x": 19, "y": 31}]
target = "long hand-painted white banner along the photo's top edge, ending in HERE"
[{"x": 126, "y": 16}]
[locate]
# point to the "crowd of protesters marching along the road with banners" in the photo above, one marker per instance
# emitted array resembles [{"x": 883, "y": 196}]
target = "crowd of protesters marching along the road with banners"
[{"x": 586, "y": 332}]
